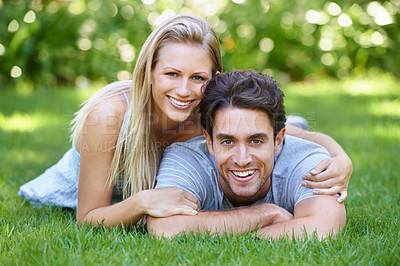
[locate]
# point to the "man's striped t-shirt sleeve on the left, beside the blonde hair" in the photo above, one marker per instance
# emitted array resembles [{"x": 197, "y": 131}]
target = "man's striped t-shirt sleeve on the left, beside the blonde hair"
[{"x": 187, "y": 169}]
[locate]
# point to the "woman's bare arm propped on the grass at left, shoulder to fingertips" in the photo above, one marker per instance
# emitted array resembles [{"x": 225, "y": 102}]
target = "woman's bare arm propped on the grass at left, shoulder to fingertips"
[{"x": 97, "y": 140}]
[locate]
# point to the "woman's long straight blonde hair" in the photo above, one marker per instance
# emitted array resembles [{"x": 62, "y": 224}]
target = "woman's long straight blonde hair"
[{"x": 136, "y": 155}]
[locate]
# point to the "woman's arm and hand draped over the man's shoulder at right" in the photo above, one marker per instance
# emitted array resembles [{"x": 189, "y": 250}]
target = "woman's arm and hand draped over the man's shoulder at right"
[{"x": 331, "y": 176}]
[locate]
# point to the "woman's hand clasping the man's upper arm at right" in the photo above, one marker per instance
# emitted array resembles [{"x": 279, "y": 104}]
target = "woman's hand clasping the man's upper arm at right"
[{"x": 330, "y": 176}]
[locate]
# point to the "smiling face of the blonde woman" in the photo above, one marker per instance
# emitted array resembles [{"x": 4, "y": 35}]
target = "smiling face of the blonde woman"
[{"x": 177, "y": 80}]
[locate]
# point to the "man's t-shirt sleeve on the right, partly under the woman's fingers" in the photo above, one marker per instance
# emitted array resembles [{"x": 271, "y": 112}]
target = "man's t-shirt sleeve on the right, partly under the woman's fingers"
[{"x": 298, "y": 191}]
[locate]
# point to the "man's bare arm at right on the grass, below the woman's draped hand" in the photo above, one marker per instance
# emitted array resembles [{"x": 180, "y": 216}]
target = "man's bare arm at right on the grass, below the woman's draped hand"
[{"x": 321, "y": 214}]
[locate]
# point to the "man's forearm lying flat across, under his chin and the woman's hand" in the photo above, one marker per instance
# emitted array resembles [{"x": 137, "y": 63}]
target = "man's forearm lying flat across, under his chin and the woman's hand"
[{"x": 239, "y": 220}]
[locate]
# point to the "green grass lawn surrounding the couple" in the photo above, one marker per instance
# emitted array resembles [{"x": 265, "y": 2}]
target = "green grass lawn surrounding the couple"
[{"x": 362, "y": 115}]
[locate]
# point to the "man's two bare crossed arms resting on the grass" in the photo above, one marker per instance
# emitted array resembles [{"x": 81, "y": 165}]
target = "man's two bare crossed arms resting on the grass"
[{"x": 320, "y": 214}]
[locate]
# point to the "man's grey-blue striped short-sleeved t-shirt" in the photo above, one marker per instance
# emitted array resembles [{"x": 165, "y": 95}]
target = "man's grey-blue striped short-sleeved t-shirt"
[{"x": 190, "y": 166}]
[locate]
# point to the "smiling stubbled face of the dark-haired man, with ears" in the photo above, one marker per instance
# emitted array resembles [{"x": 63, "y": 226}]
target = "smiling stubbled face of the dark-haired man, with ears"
[{"x": 244, "y": 150}]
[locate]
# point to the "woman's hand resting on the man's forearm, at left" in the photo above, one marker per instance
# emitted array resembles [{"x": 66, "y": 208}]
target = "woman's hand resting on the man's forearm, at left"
[{"x": 163, "y": 202}]
